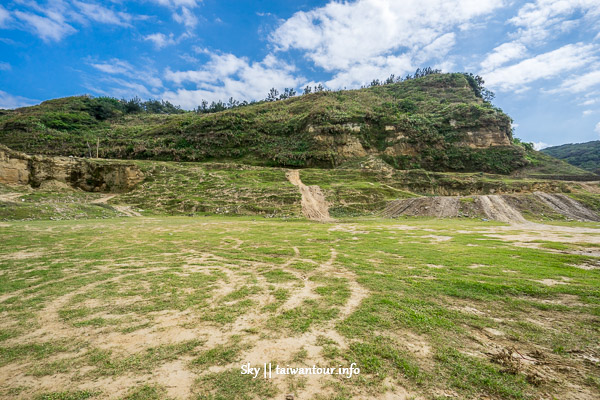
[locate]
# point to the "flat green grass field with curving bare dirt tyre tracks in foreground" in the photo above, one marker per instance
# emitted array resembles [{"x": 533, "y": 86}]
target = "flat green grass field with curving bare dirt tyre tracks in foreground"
[{"x": 172, "y": 307}]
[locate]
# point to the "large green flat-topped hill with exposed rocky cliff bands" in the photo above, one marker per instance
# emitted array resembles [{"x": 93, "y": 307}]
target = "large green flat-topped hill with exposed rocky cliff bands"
[{"x": 438, "y": 122}]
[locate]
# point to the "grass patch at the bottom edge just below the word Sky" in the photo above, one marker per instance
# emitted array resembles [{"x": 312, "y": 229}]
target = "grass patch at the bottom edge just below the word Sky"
[{"x": 231, "y": 385}]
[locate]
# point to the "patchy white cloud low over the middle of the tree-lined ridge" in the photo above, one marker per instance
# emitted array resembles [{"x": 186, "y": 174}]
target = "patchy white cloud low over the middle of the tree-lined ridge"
[{"x": 226, "y": 75}]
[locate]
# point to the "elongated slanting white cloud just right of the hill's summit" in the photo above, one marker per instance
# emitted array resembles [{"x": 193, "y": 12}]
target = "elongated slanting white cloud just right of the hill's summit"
[{"x": 542, "y": 66}]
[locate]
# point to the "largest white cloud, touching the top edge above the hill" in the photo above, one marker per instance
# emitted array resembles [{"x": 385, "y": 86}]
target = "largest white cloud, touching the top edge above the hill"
[{"x": 377, "y": 36}]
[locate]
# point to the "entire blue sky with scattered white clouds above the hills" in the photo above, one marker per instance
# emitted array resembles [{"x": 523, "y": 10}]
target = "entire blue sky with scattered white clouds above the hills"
[{"x": 541, "y": 58}]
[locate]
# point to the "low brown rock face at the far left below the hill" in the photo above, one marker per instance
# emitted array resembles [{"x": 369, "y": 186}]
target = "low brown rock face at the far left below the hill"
[{"x": 91, "y": 175}]
